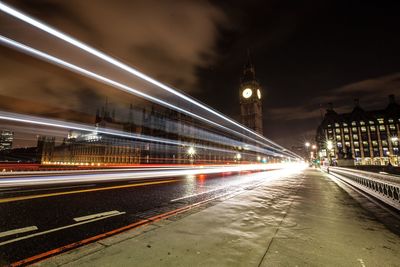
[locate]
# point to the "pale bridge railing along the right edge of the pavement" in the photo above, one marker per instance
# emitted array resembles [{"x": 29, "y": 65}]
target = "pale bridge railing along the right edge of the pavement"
[{"x": 382, "y": 186}]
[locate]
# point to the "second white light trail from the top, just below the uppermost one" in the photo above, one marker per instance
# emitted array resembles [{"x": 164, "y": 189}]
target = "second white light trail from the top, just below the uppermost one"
[{"x": 113, "y": 83}]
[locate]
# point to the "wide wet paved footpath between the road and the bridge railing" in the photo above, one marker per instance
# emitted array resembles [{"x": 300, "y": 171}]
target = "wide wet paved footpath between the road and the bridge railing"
[{"x": 299, "y": 219}]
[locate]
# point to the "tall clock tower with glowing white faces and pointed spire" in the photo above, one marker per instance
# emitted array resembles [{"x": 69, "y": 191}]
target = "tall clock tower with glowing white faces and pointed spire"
[{"x": 250, "y": 99}]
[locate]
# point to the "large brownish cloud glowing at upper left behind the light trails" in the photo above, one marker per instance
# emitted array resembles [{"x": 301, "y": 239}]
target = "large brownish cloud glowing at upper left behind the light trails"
[{"x": 167, "y": 40}]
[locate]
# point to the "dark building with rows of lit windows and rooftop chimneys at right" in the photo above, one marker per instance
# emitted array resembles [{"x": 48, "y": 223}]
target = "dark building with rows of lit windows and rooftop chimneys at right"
[{"x": 365, "y": 137}]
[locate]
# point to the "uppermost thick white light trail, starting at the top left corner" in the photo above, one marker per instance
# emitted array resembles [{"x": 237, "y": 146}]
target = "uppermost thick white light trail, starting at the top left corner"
[{"x": 52, "y": 31}]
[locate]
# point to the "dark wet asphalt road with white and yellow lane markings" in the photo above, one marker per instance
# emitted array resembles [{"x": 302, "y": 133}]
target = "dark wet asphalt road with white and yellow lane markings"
[{"x": 34, "y": 220}]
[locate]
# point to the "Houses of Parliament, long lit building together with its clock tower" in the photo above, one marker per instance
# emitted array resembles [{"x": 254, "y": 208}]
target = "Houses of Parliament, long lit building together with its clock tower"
[{"x": 99, "y": 148}]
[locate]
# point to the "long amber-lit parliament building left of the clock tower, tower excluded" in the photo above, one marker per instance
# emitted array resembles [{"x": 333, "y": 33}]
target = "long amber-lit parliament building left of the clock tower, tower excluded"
[{"x": 92, "y": 149}]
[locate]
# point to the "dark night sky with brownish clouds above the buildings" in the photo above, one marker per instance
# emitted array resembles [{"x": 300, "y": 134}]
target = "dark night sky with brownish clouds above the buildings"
[{"x": 306, "y": 53}]
